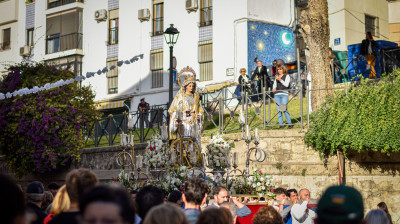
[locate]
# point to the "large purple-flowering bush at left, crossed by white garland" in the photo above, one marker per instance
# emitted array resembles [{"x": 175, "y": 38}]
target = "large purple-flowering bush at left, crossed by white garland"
[{"x": 43, "y": 131}]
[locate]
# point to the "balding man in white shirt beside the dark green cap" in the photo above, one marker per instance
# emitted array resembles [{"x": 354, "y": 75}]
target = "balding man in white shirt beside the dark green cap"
[{"x": 300, "y": 212}]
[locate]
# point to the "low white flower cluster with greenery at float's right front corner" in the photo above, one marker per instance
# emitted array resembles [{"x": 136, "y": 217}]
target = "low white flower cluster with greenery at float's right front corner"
[{"x": 257, "y": 184}]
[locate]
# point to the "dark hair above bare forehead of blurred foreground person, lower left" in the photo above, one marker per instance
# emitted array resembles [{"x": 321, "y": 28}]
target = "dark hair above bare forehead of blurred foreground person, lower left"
[{"x": 109, "y": 194}]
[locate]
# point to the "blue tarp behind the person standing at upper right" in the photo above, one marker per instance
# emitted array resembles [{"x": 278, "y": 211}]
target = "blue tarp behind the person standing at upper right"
[{"x": 359, "y": 65}]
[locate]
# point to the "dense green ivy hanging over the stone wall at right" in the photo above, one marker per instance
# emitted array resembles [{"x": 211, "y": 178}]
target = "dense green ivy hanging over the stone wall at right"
[{"x": 367, "y": 118}]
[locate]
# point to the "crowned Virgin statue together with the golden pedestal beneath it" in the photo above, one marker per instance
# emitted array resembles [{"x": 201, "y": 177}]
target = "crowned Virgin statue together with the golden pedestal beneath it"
[{"x": 186, "y": 120}]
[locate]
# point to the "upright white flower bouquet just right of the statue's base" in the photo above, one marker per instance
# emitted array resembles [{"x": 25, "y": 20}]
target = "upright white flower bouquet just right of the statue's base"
[{"x": 218, "y": 153}]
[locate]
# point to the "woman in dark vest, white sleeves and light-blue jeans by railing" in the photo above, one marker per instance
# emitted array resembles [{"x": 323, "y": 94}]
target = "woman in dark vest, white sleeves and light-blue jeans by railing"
[{"x": 281, "y": 92}]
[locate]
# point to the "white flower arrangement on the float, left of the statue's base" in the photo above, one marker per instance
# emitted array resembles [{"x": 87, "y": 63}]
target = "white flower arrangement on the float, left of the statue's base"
[{"x": 156, "y": 154}]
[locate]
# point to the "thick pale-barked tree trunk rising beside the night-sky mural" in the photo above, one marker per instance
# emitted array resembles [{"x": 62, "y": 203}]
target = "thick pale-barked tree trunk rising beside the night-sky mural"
[{"x": 314, "y": 27}]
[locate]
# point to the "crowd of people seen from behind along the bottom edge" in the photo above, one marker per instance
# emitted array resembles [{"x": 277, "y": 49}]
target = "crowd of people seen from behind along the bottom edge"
[{"x": 83, "y": 200}]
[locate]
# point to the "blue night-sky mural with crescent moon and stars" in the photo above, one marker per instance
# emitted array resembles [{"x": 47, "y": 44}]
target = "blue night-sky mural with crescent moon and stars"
[{"x": 269, "y": 42}]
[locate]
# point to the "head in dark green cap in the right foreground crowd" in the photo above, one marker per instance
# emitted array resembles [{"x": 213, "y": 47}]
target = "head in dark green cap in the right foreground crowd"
[{"x": 340, "y": 204}]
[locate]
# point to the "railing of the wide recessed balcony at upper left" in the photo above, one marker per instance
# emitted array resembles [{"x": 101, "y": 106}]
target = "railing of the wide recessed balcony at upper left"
[{"x": 56, "y": 43}]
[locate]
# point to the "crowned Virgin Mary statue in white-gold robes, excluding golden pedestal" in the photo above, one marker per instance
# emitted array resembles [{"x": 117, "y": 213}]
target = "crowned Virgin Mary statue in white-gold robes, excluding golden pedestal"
[{"x": 186, "y": 109}]
